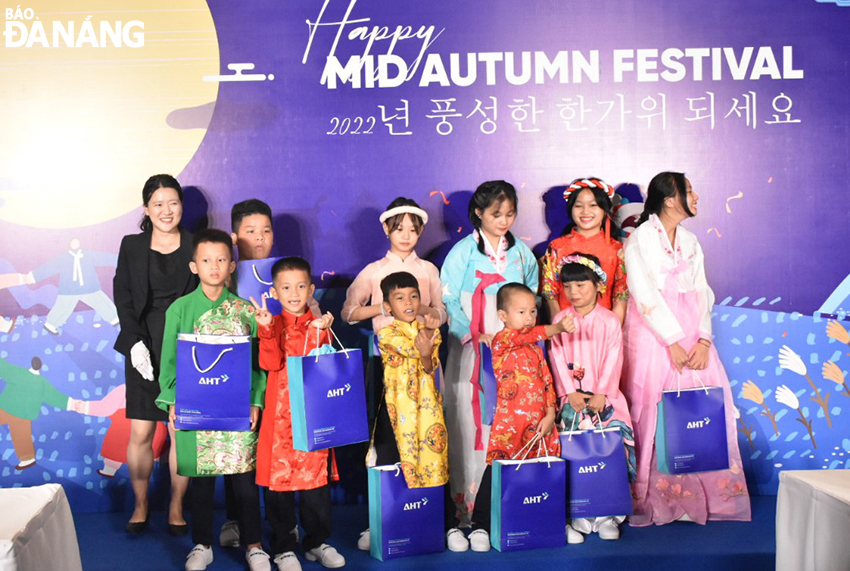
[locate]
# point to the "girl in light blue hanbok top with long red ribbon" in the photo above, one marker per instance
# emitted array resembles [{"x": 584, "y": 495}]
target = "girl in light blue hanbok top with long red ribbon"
[{"x": 472, "y": 274}]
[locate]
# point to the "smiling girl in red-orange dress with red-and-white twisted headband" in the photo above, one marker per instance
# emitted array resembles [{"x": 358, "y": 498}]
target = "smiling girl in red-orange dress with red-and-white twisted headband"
[{"x": 591, "y": 229}]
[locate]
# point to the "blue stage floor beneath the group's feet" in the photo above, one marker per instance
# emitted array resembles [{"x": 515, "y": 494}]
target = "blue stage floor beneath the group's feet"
[{"x": 723, "y": 546}]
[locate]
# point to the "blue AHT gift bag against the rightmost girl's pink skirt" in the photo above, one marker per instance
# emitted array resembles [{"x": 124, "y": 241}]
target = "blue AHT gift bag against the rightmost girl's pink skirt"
[{"x": 690, "y": 434}]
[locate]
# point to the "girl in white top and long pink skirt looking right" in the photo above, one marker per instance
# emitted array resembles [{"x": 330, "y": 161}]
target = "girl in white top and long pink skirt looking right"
[{"x": 668, "y": 334}]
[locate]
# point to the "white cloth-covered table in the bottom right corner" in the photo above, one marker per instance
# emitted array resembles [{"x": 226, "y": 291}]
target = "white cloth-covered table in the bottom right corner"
[{"x": 813, "y": 521}]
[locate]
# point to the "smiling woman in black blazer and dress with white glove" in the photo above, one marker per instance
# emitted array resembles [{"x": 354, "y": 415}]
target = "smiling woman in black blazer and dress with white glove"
[{"x": 153, "y": 271}]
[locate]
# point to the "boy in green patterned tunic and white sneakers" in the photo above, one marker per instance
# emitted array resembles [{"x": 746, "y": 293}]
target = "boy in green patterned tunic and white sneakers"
[{"x": 213, "y": 310}]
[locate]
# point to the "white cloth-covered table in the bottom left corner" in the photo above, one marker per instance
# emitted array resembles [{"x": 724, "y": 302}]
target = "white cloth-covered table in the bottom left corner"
[{"x": 37, "y": 530}]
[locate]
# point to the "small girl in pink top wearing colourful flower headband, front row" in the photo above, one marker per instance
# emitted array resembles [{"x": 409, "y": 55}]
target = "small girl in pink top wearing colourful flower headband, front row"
[{"x": 586, "y": 365}]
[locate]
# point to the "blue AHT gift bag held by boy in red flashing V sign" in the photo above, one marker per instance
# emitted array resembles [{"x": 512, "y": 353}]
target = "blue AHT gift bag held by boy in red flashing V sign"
[{"x": 327, "y": 396}]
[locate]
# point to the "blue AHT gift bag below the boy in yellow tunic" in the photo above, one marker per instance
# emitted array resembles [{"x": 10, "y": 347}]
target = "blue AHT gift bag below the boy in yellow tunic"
[{"x": 403, "y": 521}]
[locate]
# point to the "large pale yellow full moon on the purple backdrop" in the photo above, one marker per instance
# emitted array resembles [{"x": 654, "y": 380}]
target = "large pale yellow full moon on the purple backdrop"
[{"x": 85, "y": 126}]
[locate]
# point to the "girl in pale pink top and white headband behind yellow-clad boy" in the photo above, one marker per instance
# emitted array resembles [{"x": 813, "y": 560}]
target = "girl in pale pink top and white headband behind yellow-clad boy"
[{"x": 403, "y": 222}]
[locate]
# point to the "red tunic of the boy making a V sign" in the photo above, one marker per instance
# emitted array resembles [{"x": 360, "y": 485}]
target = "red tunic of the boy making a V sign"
[{"x": 279, "y": 466}]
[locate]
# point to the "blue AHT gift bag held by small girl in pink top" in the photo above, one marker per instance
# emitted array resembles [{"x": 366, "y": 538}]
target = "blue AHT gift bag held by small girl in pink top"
[{"x": 597, "y": 474}]
